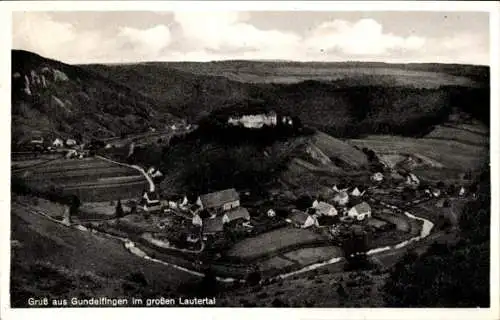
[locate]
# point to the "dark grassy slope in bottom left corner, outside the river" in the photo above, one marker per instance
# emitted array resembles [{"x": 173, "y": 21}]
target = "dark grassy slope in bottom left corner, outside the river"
[{"x": 66, "y": 262}]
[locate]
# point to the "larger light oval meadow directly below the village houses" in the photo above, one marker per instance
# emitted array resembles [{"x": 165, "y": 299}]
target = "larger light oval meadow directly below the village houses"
[{"x": 273, "y": 241}]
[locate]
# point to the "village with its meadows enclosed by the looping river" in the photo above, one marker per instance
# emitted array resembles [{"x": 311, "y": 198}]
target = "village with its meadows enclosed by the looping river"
[{"x": 209, "y": 227}]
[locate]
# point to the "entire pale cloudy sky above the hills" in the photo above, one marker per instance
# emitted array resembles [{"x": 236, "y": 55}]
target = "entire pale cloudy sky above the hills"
[{"x": 120, "y": 37}]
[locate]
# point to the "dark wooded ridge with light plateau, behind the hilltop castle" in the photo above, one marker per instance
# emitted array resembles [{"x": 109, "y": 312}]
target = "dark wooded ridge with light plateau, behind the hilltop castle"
[{"x": 343, "y": 99}]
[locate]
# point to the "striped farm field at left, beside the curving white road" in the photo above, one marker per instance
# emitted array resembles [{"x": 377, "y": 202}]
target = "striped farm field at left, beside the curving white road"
[{"x": 90, "y": 179}]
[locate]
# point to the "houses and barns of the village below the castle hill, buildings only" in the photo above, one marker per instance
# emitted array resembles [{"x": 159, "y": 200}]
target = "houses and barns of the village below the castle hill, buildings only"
[{"x": 210, "y": 212}]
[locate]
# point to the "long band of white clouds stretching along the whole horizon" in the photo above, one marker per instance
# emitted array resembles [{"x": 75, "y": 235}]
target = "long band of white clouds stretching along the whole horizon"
[{"x": 205, "y": 36}]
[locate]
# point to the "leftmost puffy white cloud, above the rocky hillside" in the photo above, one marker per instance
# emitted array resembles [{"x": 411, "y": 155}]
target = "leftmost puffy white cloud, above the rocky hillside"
[{"x": 40, "y": 33}]
